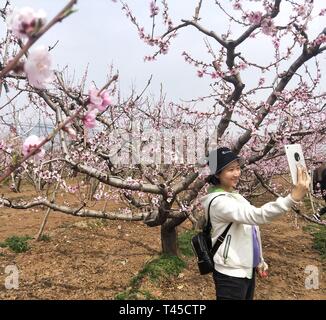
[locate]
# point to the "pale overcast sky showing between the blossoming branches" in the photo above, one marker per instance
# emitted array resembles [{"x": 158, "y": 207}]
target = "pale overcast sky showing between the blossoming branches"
[{"x": 99, "y": 34}]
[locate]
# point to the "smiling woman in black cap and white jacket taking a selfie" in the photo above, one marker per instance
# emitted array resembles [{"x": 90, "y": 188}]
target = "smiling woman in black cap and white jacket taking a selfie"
[{"x": 240, "y": 254}]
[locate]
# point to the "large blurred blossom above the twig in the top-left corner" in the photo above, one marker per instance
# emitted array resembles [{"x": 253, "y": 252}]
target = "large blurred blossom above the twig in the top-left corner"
[{"x": 25, "y": 22}]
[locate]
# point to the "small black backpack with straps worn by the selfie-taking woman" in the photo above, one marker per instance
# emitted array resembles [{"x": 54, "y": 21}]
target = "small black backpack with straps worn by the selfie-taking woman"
[{"x": 202, "y": 245}]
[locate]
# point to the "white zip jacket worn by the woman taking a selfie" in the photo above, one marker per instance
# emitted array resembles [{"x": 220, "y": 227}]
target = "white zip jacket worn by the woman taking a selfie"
[{"x": 234, "y": 257}]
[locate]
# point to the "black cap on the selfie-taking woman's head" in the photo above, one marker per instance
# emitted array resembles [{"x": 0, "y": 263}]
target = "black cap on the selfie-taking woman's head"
[{"x": 219, "y": 158}]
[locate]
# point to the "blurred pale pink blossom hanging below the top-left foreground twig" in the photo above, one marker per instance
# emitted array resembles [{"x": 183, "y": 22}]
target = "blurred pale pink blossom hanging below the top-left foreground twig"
[{"x": 37, "y": 67}]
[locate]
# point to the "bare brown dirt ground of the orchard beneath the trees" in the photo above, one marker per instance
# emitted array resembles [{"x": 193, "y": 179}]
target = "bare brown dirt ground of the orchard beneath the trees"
[{"x": 94, "y": 259}]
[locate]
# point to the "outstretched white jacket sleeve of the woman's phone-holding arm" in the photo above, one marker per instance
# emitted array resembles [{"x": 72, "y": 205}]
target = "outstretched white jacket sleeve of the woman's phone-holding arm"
[{"x": 228, "y": 209}]
